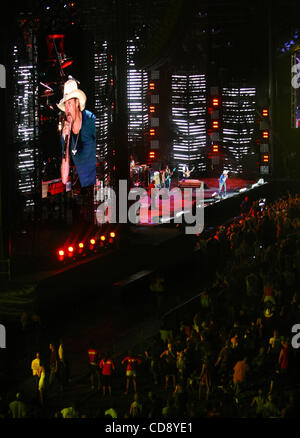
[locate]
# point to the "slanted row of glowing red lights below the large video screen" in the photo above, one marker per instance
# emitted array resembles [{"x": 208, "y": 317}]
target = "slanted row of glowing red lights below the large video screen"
[{"x": 81, "y": 249}]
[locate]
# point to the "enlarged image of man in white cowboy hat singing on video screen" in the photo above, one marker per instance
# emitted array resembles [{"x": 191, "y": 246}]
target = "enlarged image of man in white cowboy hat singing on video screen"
[{"x": 79, "y": 144}]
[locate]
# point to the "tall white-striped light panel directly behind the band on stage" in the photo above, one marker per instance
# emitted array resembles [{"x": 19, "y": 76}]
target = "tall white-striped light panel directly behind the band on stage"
[{"x": 189, "y": 119}]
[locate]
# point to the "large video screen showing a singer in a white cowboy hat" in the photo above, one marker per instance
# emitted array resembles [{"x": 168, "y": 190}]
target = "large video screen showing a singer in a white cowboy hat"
[{"x": 67, "y": 131}]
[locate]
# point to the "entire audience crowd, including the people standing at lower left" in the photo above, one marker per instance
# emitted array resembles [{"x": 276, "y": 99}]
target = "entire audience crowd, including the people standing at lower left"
[{"x": 229, "y": 354}]
